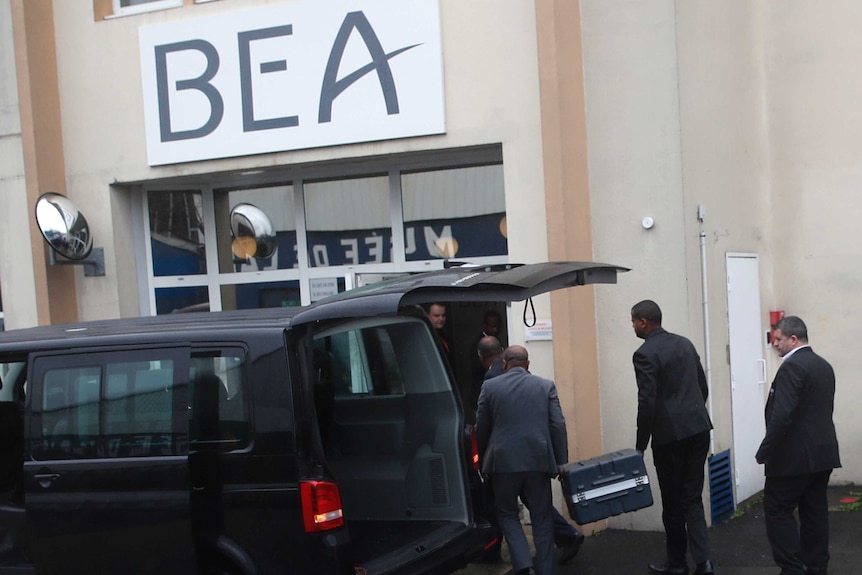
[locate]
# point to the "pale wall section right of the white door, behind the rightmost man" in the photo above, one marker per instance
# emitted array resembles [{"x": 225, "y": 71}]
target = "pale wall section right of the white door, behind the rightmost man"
[{"x": 815, "y": 131}]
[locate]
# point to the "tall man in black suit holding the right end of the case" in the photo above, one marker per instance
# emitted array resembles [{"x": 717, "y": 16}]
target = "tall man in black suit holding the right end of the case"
[{"x": 672, "y": 393}]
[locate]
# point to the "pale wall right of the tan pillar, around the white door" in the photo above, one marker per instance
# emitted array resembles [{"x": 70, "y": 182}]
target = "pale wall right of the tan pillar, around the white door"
[{"x": 750, "y": 110}]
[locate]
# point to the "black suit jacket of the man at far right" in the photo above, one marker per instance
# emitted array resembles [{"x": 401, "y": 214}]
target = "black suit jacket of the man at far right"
[{"x": 800, "y": 435}]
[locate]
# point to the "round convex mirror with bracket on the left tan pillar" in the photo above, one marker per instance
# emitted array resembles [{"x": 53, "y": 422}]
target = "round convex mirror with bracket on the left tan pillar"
[{"x": 65, "y": 229}]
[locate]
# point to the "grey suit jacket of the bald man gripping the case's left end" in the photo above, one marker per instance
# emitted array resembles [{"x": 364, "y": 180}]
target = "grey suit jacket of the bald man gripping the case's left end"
[{"x": 519, "y": 424}]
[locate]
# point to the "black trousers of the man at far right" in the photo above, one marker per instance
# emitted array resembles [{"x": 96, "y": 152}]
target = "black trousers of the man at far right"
[{"x": 795, "y": 548}]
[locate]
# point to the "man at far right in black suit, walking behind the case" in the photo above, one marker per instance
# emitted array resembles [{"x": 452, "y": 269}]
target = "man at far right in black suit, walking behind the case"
[{"x": 800, "y": 451}]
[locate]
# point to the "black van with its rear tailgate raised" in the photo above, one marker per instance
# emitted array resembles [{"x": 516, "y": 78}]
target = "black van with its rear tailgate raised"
[{"x": 325, "y": 439}]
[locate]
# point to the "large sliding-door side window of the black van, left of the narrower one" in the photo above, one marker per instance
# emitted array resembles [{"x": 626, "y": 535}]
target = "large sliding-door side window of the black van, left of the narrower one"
[{"x": 118, "y": 404}]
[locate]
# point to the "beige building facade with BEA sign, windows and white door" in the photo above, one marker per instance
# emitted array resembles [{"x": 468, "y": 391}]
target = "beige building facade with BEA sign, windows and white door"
[{"x": 712, "y": 147}]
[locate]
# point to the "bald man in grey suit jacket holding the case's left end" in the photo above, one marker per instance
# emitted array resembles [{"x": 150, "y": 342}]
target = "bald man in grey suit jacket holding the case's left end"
[{"x": 522, "y": 441}]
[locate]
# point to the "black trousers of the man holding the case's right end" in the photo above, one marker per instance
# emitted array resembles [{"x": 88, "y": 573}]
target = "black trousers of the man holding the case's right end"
[{"x": 679, "y": 466}]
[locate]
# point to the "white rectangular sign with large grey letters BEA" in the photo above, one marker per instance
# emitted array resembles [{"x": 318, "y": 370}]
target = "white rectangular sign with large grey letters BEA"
[{"x": 298, "y": 75}]
